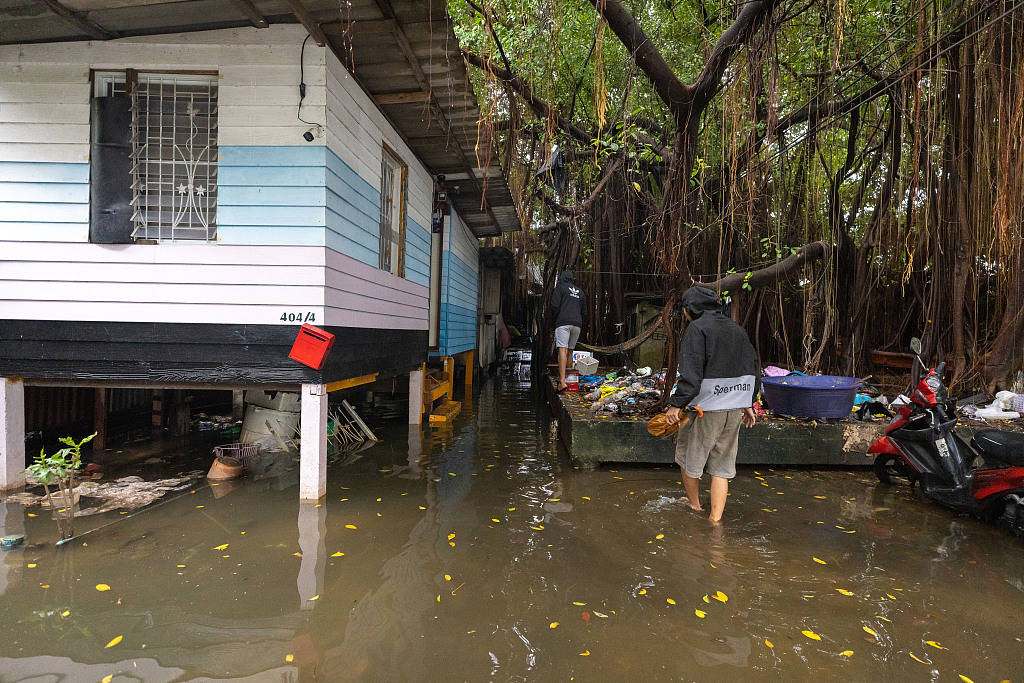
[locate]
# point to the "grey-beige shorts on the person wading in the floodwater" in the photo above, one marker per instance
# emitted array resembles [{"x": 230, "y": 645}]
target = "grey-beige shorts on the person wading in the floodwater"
[{"x": 709, "y": 445}]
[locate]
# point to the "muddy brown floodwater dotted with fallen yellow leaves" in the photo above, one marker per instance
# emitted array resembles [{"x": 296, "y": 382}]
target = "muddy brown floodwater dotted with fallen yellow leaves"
[{"x": 482, "y": 554}]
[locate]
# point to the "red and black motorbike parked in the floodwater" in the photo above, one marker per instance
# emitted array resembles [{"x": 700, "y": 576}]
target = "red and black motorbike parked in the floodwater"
[{"x": 984, "y": 477}]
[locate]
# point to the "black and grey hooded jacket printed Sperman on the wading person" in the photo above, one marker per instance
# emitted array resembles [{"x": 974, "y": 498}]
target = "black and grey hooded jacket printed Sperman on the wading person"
[{"x": 718, "y": 367}]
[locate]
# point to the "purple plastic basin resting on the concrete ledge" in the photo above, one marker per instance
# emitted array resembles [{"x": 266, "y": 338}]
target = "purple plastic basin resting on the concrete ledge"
[{"x": 804, "y": 397}]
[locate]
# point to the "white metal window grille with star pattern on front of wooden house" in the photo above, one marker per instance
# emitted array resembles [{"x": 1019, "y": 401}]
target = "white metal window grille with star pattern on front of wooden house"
[{"x": 175, "y": 156}]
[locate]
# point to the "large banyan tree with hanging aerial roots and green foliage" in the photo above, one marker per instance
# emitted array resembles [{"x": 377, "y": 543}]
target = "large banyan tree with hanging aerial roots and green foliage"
[{"x": 851, "y": 173}]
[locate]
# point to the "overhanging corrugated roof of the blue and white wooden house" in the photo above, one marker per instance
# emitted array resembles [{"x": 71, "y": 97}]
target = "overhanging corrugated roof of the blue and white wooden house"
[{"x": 403, "y": 53}]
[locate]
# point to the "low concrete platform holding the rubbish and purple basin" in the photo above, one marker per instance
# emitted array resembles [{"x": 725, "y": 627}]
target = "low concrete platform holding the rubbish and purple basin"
[{"x": 591, "y": 441}]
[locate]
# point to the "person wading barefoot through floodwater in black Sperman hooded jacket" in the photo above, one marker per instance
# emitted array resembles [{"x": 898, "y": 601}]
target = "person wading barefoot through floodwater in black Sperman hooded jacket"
[{"x": 719, "y": 378}]
